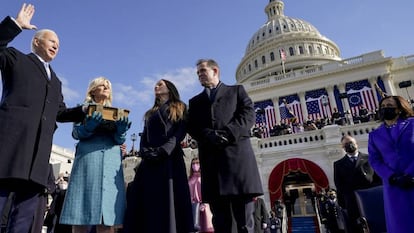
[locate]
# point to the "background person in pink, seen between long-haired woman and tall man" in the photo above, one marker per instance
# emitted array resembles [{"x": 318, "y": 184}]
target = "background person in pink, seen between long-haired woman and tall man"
[{"x": 203, "y": 223}]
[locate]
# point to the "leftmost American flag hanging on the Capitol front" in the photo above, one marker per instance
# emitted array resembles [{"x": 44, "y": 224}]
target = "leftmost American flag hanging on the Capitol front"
[{"x": 265, "y": 116}]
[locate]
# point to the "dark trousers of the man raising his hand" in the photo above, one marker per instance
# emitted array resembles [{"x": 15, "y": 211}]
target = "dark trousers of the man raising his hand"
[{"x": 22, "y": 210}]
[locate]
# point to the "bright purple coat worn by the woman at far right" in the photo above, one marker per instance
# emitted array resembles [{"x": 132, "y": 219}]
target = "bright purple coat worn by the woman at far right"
[{"x": 391, "y": 150}]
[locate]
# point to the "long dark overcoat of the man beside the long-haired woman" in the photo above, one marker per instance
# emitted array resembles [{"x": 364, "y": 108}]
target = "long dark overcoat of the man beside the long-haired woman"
[{"x": 229, "y": 170}]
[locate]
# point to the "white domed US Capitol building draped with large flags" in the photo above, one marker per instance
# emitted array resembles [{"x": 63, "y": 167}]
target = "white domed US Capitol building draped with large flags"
[{"x": 291, "y": 71}]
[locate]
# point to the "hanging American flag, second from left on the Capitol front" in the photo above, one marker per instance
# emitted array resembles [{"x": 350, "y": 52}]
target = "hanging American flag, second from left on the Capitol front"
[{"x": 293, "y": 105}]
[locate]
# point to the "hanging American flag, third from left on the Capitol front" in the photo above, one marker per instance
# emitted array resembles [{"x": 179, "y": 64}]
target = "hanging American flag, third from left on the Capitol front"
[{"x": 314, "y": 104}]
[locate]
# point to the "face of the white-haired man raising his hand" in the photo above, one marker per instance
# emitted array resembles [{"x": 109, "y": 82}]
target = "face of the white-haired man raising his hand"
[{"x": 47, "y": 47}]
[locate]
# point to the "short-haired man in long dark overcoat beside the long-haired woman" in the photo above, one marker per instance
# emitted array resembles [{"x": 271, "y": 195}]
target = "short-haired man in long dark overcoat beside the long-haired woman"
[{"x": 220, "y": 119}]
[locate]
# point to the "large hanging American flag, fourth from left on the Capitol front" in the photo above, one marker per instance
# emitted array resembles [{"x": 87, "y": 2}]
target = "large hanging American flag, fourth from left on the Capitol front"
[{"x": 360, "y": 93}]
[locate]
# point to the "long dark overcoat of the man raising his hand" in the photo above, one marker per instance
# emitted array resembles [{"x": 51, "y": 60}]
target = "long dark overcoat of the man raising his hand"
[{"x": 29, "y": 108}]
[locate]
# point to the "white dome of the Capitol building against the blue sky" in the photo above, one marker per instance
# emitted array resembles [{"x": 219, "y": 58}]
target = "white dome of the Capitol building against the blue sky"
[{"x": 297, "y": 41}]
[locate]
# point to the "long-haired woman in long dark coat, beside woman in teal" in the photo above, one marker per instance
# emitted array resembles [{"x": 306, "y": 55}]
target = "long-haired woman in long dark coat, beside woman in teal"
[{"x": 159, "y": 196}]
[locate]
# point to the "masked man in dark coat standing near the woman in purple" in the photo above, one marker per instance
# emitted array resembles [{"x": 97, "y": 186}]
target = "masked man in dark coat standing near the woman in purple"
[{"x": 352, "y": 172}]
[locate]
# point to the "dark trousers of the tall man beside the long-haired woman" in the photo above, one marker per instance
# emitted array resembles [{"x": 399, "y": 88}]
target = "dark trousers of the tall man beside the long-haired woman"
[{"x": 227, "y": 209}]
